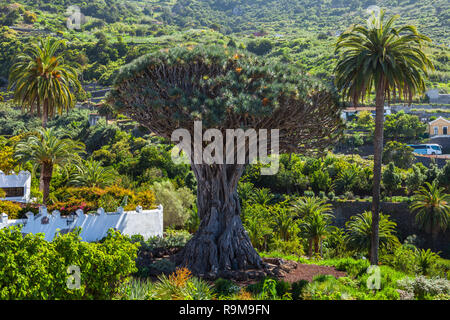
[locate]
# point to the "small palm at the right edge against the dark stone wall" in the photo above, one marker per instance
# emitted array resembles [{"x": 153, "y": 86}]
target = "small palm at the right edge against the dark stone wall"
[{"x": 432, "y": 205}]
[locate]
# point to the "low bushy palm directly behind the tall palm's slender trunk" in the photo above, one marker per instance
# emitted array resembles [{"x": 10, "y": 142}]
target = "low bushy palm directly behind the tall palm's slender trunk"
[{"x": 359, "y": 232}]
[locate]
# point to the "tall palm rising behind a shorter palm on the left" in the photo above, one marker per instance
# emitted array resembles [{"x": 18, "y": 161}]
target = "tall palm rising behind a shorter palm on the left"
[{"x": 41, "y": 80}]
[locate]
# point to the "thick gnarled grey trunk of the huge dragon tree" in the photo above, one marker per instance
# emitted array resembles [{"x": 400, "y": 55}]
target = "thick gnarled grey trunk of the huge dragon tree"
[{"x": 220, "y": 243}]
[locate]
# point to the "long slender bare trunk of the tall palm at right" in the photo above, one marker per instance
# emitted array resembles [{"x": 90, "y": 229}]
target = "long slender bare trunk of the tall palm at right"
[{"x": 378, "y": 150}]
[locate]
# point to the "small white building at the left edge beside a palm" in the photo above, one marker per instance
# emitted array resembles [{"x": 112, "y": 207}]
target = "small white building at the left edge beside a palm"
[{"x": 16, "y": 186}]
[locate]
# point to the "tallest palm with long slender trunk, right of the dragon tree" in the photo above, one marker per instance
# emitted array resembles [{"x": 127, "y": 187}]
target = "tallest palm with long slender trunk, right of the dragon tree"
[{"x": 389, "y": 60}]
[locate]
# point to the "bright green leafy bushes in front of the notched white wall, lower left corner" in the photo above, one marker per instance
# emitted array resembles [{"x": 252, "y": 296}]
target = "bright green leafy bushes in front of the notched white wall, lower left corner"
[{"x": 32, "y": 268}]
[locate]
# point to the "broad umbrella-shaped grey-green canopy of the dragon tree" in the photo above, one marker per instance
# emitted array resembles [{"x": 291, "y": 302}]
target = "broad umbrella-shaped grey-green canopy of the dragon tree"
[{"x": 226, "y": 89}]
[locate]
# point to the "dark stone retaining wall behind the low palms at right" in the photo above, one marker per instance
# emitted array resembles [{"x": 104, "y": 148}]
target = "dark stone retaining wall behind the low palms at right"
[{"x": 398, "y": 212}]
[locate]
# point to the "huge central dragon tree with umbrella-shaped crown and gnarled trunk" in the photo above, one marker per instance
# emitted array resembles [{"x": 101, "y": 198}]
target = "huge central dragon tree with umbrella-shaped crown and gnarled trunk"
[{"x": 225, "y": 89}]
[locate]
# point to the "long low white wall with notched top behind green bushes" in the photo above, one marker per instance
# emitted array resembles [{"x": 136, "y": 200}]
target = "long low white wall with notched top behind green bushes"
[{"x": 94, "y": 227}]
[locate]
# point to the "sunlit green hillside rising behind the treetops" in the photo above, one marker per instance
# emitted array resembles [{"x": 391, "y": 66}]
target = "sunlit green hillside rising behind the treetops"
[{"x": 301, "y": 32}]
